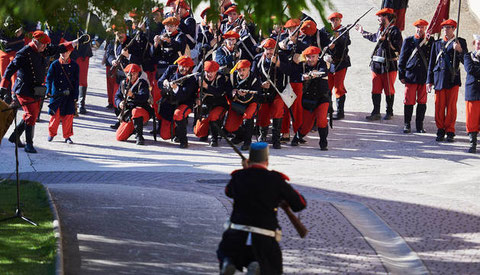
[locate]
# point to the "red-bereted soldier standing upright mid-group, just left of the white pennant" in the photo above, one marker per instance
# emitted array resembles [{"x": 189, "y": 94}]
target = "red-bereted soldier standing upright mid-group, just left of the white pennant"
[{"x": 271, "y": 72}]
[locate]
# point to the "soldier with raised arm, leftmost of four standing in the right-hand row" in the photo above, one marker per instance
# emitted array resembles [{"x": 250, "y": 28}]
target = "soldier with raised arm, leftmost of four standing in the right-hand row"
[{"x": 384, "y": 61}]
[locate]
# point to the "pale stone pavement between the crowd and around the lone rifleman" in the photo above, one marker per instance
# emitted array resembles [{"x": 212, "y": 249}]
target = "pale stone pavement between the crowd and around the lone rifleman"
[{"x": 379, "y": 200}]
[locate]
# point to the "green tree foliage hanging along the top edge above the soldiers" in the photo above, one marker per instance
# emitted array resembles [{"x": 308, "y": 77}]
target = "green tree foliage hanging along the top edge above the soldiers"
[{"x": 264, "y": 13}]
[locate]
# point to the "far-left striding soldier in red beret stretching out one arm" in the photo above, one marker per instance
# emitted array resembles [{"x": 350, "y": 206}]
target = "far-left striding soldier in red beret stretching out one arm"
[{"x": 30, "y": 62}]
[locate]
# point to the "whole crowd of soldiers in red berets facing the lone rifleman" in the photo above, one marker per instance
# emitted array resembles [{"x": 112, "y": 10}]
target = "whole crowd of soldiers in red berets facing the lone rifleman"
[{"x": 240, "y": 83}]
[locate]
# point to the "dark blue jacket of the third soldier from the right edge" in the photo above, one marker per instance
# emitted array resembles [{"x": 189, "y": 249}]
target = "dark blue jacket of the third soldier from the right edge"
[{"x": 413, "y": 68}]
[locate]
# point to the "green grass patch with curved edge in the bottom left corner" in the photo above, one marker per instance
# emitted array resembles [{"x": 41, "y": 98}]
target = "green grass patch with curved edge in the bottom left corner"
[{"x": 24, "y": 248}]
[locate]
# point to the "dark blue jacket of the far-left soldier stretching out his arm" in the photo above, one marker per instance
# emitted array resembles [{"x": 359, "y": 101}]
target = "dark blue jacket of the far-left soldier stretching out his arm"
[{"x": 31, "y": 66}]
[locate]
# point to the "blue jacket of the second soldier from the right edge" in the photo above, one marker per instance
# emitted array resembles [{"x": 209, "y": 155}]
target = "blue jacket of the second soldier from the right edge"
[{"x": 440, "y": 65}]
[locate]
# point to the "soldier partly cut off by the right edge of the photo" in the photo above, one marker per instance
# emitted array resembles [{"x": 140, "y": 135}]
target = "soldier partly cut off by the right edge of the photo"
[{"x": 472, "y": 93}]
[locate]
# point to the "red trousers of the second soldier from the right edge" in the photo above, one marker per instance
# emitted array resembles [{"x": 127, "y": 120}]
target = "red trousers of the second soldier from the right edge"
[{"x": 446, "y": 108}]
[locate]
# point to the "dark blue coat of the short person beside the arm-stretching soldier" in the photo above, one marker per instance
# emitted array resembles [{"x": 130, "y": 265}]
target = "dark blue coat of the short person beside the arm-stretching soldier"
[{"x": 59, "y": 81}]
